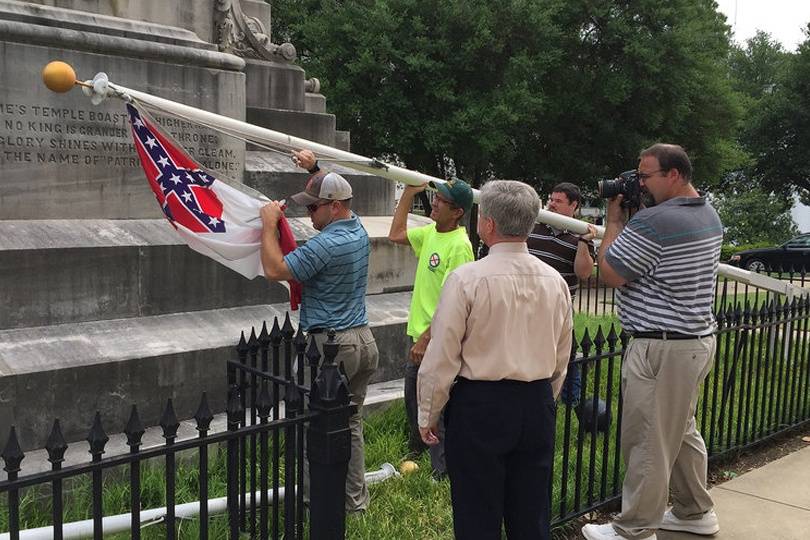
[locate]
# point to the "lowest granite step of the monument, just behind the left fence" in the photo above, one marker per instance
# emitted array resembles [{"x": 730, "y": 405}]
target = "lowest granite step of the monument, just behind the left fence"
[{"x": 70, "y": 371}]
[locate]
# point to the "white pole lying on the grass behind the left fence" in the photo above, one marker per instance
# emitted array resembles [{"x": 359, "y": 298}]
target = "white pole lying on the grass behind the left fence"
[{"x": 123, "y": 522}]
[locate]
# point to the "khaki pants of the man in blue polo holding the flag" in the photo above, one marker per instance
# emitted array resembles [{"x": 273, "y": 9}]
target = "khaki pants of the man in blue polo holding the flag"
[{"x": 359, "y": 356}]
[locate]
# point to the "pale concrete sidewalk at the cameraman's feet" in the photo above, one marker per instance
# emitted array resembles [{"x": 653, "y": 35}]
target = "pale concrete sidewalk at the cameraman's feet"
[{"x": 768, "y": 503}]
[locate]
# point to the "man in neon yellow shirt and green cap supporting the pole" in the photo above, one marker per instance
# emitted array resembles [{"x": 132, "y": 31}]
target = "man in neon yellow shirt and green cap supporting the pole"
[{"x": 441, "y": 247}]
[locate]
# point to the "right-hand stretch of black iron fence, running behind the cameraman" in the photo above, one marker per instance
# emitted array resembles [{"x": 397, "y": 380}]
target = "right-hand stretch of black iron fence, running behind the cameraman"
[{"x": 758, "y": 388}]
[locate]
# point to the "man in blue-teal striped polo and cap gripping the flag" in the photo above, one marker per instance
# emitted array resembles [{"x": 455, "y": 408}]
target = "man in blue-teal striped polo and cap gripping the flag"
[{"x": 333, "y": 269}]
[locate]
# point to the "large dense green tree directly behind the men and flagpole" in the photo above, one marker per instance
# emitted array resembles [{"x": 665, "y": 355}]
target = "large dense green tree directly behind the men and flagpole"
[{"x": 538, "y": 90}]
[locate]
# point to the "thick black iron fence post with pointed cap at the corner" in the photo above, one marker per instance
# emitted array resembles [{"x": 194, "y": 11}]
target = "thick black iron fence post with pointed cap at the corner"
[{"x": 329, "y": 448}]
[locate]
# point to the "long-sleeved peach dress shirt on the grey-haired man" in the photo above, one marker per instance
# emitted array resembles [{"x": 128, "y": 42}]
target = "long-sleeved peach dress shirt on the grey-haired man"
[{"x": 504, "y": 317}]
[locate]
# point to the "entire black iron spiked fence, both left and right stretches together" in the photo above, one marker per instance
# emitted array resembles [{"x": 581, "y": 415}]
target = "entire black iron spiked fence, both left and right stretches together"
[{"x": 279, "y": 393}]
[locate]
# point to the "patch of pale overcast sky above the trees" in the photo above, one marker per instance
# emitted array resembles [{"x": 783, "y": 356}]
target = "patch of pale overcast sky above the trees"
[{"x": 783, "y": 19}]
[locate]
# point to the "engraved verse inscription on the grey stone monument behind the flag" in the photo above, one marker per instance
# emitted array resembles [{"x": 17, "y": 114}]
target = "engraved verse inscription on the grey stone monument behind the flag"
[{"x": 92, "y": 137}]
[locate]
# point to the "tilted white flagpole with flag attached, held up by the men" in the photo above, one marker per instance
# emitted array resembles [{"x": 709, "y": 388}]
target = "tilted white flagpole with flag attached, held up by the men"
[{"x": 384, "y": 170}]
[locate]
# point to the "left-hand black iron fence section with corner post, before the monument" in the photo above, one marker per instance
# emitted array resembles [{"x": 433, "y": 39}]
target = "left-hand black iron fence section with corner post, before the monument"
[{"x": 271, "y": 406}]
